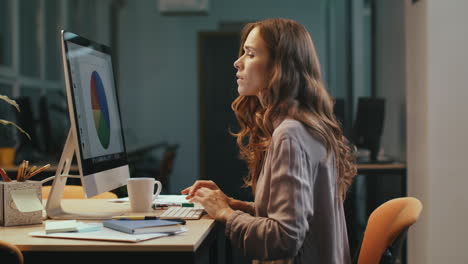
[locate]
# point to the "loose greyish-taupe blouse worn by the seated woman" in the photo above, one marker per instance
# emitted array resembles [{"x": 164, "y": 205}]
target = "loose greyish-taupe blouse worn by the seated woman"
[{"x": 298, "y": 215}]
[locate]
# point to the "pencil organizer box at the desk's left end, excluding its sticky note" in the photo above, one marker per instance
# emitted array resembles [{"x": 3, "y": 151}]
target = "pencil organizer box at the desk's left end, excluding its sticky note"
[{"x": 9, "y": 214}]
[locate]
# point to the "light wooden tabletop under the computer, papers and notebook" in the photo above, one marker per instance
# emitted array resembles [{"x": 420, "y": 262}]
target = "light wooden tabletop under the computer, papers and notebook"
[{"x": 188, "y": 241}]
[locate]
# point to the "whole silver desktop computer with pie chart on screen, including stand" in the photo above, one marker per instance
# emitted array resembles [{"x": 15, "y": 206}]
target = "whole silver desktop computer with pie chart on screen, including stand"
[{"x": 96, "y": 134}]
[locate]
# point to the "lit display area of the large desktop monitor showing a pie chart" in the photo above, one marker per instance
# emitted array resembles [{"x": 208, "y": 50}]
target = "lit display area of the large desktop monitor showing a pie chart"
[{"x": 96, "y": 110}]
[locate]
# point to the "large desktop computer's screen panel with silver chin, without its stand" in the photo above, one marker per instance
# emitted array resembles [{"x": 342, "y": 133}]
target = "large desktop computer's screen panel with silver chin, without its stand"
[{"x": 94, "y": 110}]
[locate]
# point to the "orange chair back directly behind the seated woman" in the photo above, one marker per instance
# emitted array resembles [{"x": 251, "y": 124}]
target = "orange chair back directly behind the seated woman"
[{"x": 386, "y": 230}]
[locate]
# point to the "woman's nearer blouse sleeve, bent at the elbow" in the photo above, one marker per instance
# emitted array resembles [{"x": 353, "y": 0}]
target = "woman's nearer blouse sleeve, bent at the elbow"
[{"x": 282, "y": 233}]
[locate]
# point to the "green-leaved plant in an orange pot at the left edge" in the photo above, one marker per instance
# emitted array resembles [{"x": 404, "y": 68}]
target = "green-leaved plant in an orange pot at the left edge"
[{"x": 7, "y": 136}]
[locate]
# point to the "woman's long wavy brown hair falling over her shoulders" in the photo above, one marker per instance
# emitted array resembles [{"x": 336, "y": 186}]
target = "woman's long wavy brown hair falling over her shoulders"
[{"x": 295, "y": 89}]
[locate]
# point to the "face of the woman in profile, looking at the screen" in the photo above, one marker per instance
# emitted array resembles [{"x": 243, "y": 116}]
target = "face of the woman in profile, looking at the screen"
[{"x": 252, "y": 66}]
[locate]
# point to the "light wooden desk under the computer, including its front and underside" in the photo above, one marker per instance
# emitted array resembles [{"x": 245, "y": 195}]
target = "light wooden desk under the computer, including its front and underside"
[{"x": 197, "y": 245}]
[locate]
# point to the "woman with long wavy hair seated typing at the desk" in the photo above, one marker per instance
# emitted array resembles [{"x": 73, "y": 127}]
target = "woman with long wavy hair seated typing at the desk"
[{"x": 299, "y": 164}]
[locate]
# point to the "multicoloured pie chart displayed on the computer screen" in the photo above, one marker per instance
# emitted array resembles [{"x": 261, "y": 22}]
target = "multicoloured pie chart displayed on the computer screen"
[{"x": 100, "y": 109}]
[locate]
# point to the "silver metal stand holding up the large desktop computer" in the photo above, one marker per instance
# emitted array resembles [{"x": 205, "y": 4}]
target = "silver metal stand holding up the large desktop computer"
[{"x": 54, "y": 208}]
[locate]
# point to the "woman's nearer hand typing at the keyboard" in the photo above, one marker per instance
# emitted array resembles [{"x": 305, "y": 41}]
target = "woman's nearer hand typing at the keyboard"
[{"x": 215, "y": 202}]
